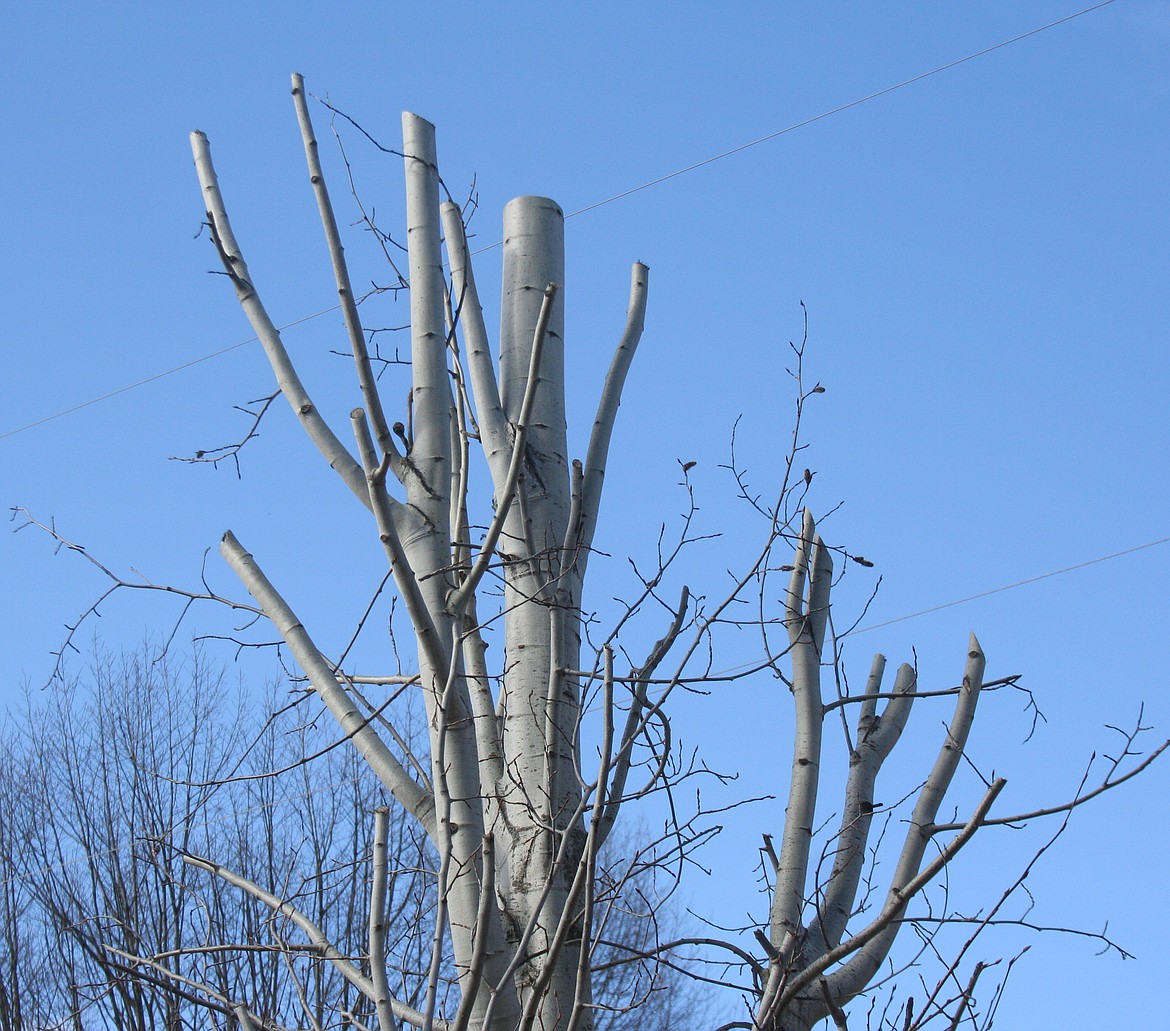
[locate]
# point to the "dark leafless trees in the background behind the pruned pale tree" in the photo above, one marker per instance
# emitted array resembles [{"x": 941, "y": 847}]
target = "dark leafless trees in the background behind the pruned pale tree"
[{"x": 126, "y": 768}]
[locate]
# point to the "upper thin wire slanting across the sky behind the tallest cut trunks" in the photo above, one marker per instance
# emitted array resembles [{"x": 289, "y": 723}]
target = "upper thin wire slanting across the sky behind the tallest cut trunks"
[{"x": 598, "y": 204}]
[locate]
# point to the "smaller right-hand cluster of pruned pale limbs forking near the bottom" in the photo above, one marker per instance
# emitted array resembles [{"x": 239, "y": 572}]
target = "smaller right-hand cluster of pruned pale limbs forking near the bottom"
[{"x": 808, "y": 927}]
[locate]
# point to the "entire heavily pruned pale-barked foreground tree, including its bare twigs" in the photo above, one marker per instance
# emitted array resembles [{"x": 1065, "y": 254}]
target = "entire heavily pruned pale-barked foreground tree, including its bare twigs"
[{"x": 532, "y": 760}]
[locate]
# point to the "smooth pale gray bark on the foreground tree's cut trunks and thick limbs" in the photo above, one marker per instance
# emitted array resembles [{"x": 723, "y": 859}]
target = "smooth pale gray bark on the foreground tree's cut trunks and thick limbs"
[{"x": 506, "y": 767}]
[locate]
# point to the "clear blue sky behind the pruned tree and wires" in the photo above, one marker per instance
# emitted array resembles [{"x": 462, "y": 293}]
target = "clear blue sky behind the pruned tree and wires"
[{"x": 983, "y": 257}]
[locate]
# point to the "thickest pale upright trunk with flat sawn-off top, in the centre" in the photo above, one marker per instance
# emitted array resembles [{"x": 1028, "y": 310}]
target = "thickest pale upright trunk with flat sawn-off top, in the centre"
[{"x": 540, "y": 792}]
